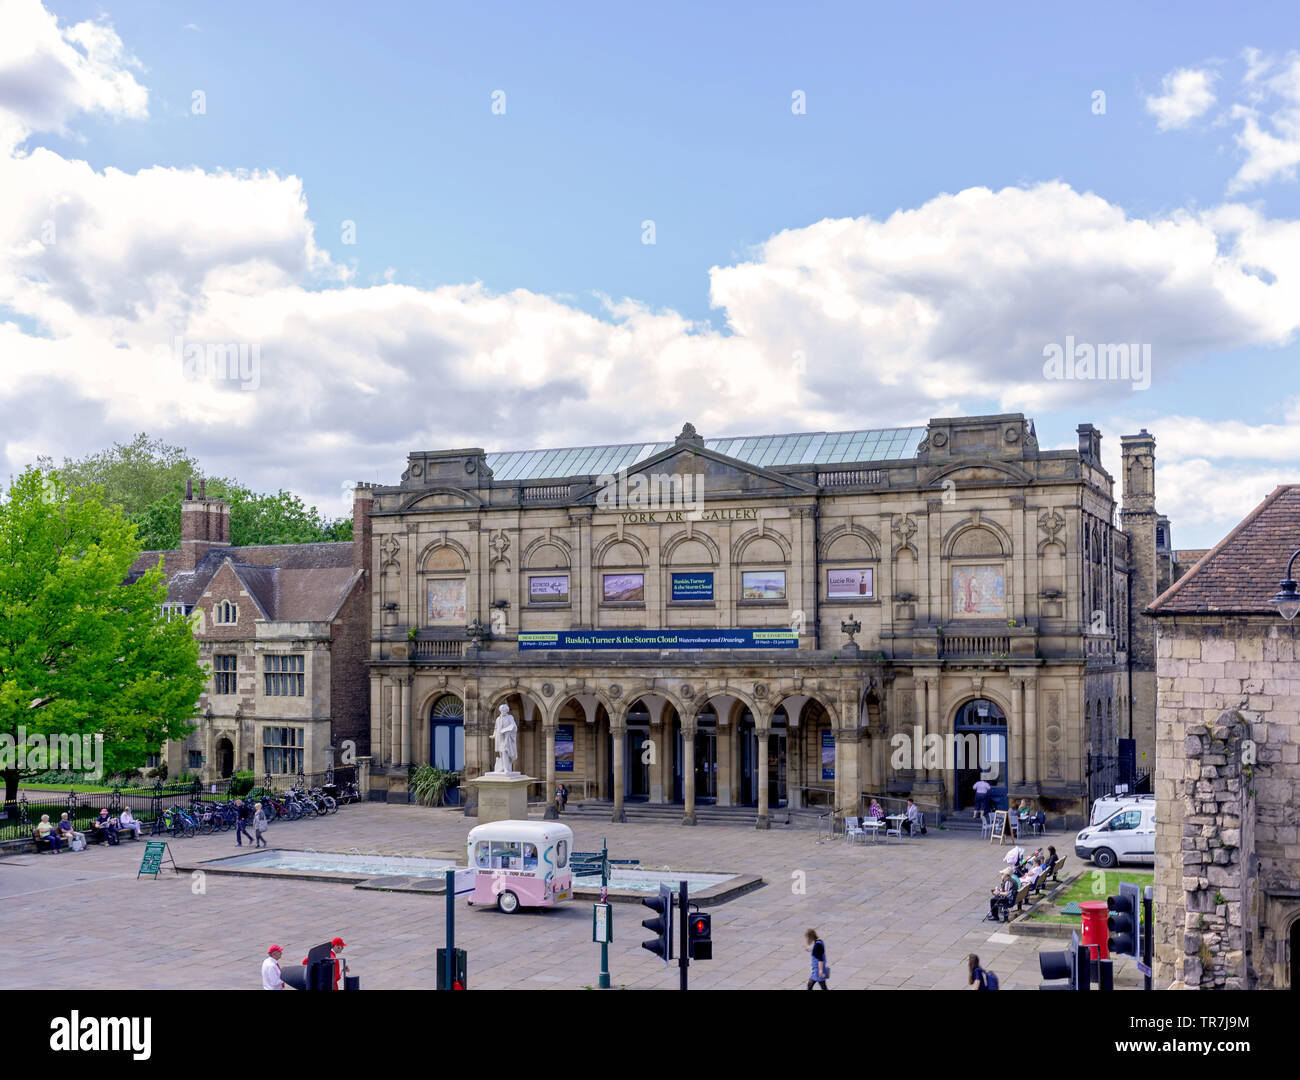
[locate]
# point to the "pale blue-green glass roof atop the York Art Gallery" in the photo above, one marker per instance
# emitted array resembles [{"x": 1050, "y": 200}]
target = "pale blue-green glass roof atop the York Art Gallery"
[{"x": 800, "y": 449}]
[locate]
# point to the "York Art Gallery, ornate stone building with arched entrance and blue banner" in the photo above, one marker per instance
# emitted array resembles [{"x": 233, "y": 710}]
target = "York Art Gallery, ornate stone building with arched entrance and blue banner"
[{"x": 669, "y": 621}]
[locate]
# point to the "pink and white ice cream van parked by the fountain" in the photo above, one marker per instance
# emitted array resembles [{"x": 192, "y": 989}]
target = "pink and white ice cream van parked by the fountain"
[{"x": 521, "y": 865}]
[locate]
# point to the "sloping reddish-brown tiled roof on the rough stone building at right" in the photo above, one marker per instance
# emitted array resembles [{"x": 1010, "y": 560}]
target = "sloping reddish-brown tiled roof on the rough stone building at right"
[{"x": 1241, "y": 575}]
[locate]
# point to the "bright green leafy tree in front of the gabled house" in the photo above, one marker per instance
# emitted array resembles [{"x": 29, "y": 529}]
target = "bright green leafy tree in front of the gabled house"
[{"x": 81, "y": 653}]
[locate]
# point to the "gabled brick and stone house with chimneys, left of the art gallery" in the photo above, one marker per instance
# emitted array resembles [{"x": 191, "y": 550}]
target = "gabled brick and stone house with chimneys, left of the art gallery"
[{"x": 284, "y": 630}]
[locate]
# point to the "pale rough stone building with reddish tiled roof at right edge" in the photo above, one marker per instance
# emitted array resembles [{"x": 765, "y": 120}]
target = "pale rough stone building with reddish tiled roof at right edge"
[{"x": 1228, "y": 783}]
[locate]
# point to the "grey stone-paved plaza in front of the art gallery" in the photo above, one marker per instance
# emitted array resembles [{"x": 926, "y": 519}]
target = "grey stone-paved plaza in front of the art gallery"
[{"x": 894, "y": 917}]
